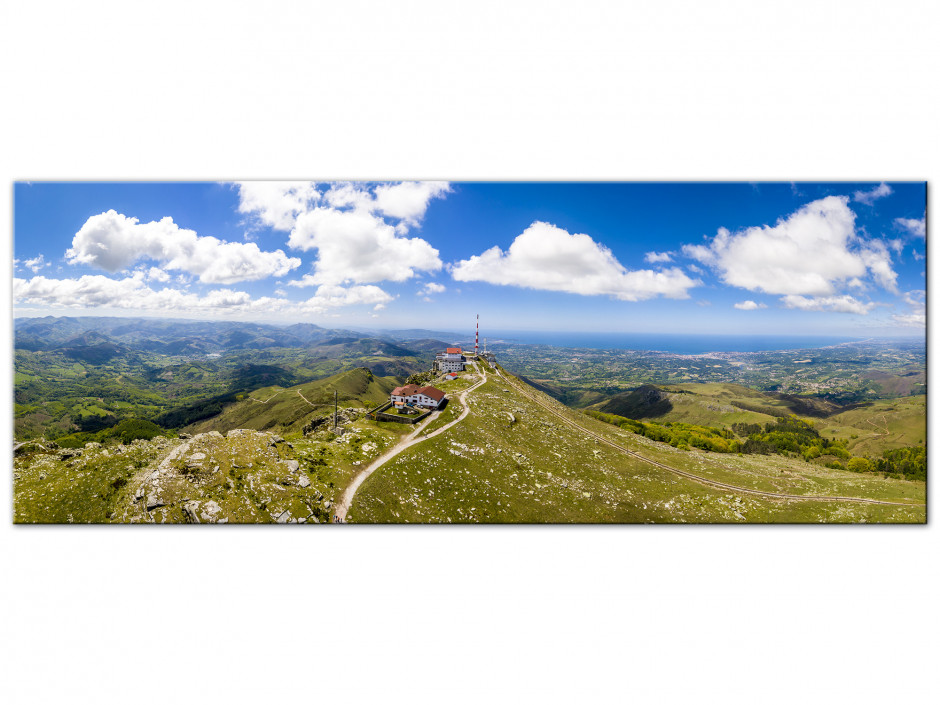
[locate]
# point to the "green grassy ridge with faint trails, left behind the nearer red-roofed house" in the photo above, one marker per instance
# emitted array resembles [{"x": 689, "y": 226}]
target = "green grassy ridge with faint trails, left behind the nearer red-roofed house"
[{"x": 285, "y": 410}]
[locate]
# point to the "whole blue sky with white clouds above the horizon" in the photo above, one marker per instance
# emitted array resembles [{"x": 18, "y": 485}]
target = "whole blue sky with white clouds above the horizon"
[{"x": 803, "y": 258}]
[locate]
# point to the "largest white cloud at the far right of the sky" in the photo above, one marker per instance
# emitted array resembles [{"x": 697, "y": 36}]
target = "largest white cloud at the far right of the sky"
[{"x": 808, "y": 253}]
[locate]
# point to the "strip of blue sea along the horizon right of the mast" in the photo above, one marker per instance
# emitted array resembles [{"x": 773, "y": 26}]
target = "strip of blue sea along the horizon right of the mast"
[{"x": 672, "y": 342}]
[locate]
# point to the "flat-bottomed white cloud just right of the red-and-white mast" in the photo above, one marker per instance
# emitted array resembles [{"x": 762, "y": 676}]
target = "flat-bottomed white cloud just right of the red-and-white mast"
[{"x": 549, "y": 258}]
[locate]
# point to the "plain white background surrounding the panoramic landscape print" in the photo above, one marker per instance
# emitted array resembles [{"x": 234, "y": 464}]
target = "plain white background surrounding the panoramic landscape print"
[{"x": 671, "y": 90}]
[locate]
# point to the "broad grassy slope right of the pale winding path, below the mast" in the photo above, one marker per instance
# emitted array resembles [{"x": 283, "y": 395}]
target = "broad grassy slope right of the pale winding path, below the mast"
[{"x": 487, "y": 469}]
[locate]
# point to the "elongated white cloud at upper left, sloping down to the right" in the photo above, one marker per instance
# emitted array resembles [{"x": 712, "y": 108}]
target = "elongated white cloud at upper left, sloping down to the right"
[{"x": 112, "y": 241}]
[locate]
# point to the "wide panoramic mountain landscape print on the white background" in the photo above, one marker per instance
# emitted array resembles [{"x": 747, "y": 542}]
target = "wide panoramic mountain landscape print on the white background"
[{"x": 439, "y": 352}]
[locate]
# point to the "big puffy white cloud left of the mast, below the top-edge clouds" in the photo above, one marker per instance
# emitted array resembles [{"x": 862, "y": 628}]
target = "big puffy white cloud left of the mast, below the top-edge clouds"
[{"x": 359, "y": 247}]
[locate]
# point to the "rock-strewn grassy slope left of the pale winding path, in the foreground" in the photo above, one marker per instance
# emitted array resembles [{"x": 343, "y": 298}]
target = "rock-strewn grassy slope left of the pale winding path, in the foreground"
[{"x": 243, "y": 473}]
